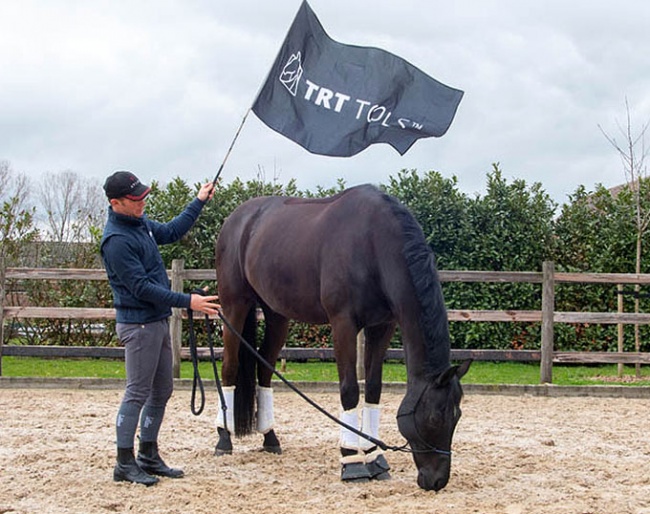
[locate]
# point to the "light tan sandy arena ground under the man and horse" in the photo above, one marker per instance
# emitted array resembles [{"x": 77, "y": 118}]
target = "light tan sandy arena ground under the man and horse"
[{"x": 511, "y": 455}]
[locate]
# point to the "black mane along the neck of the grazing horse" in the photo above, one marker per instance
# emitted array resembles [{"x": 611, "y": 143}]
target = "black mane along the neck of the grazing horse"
[{"x": 421, "y": 264}]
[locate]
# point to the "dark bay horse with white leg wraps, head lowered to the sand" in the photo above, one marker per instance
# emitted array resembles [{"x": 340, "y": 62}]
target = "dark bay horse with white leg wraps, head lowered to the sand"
[{"x": 358, "y": 261}]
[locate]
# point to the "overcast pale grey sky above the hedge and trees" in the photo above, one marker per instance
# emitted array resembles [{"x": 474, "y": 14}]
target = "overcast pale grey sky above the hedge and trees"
[{"x": 159, "y": 87}]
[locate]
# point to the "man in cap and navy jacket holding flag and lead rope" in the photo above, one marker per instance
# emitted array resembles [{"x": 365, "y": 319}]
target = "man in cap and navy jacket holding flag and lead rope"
[{"x": 143, "y": 301}]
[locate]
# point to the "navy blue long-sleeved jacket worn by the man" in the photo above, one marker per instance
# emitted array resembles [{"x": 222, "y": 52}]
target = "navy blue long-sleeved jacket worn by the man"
[{"x": 135, "y": 269}]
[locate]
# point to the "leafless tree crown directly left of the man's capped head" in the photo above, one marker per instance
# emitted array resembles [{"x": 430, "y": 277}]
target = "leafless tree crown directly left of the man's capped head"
[{"x": 73, "y": 205}]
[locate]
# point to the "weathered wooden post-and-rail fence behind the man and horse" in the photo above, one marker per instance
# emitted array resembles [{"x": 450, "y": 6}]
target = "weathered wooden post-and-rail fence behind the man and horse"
[{"x": 547, "y": 316}]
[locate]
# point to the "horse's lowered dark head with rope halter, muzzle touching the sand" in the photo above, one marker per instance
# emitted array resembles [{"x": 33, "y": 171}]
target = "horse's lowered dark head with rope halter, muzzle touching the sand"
[{"x": 427, "y": 418}]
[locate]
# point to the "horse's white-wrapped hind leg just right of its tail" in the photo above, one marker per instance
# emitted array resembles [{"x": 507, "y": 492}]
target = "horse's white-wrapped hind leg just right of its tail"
[{"x": 275, "y": 335}]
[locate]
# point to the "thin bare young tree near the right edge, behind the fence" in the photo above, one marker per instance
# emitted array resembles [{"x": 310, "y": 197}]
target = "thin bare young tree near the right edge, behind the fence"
[{"x": 633, "y": 154}]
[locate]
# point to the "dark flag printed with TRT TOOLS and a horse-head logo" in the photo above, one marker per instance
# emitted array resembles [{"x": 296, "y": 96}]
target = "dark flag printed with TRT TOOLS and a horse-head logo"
[{"x": 336, "y": 99}]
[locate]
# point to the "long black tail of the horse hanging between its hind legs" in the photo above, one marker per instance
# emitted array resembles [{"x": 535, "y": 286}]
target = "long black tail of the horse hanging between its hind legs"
[{"x": 246, "y": 378}]
